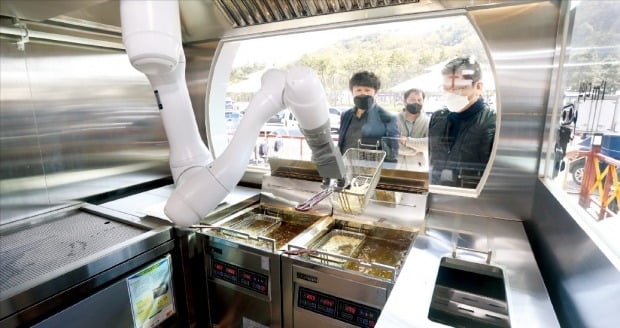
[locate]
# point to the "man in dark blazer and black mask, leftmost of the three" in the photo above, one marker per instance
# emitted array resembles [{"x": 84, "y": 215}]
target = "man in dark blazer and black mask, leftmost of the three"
[{"x": 367, "y": 125}]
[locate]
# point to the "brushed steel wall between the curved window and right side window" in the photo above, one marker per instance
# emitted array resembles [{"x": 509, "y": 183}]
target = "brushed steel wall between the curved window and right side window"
[{"x": 522, "y": 41}]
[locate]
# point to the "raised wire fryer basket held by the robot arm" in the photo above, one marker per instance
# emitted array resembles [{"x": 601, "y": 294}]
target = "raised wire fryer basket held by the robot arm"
[{"x": 363, "y": 168}]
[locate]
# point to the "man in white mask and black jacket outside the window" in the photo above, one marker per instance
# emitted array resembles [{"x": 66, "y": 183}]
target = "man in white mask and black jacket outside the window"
[{"x": 461, "y": 134}]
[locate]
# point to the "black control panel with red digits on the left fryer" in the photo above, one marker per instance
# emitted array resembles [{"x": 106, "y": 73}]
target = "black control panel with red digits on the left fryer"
[{"x": 241, "y": 277}]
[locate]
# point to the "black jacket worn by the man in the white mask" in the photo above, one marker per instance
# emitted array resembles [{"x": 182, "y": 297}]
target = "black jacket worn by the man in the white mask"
[{"x": 461, "y": 143}]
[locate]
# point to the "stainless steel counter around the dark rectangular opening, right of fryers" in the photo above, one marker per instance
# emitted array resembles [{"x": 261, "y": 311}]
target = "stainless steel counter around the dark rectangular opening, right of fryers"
[{"x": 528, "y": 301}]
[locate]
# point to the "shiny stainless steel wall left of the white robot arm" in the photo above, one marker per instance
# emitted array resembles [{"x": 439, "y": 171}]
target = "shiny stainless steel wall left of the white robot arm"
[{"x": 75, "y": 120}]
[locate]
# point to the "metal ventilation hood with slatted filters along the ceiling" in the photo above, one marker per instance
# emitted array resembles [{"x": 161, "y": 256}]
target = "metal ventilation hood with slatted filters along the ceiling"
[{"x": 208, "y": 20}]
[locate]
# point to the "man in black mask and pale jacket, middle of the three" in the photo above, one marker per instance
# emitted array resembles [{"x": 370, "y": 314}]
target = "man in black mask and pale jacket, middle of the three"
[{"x": 413, "y": 126}]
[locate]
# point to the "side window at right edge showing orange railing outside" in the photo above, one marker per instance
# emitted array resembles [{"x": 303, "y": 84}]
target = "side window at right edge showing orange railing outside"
[{"x": 584, "y": 155}]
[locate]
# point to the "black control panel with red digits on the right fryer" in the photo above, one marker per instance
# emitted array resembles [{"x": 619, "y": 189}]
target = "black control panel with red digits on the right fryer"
[{"x": 337, "y": 308}]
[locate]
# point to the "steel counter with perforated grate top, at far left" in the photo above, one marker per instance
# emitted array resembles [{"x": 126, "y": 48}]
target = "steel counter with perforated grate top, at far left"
[{"x": 57, "y": 257}]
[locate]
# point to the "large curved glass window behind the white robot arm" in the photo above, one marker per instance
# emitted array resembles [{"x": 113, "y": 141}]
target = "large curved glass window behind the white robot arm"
[{"x": 404, "y": 55}]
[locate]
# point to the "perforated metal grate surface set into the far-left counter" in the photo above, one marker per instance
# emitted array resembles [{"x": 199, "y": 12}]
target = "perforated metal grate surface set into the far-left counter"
[{"x": 32, "y": 252}]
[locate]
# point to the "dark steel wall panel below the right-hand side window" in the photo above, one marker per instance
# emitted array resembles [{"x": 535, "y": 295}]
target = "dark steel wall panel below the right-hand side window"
[{"x": 582, "y": 283}]
